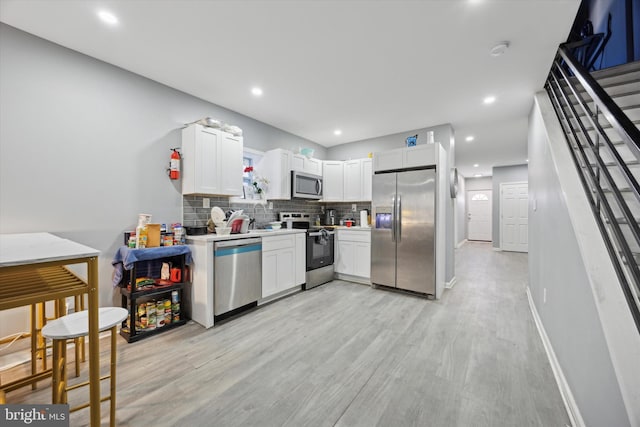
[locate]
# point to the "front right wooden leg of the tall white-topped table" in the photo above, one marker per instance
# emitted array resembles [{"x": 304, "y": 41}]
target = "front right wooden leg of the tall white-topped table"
[{"x": 94, "y": 344}]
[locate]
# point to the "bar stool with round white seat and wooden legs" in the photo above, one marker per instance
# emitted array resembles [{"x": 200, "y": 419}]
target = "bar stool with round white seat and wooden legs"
[{"x": 77, "y": 325}]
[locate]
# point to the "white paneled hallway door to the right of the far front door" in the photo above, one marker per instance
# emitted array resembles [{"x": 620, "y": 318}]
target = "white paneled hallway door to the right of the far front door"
[{"x": 514, "y": 218}]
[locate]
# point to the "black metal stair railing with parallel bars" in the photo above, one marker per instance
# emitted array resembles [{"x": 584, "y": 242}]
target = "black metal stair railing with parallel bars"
[{"x": 587, "y": 139}]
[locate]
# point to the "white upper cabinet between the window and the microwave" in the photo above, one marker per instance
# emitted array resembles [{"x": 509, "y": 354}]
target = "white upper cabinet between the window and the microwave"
[{"x": 275, "y": 166}]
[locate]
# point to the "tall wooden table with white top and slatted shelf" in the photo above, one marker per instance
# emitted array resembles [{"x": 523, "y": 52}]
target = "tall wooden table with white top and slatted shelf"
[{"x": 32, "y": 270}]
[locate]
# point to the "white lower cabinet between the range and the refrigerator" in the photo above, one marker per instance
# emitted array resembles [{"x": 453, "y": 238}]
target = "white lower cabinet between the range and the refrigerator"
[{"x": 353, "y": 253}]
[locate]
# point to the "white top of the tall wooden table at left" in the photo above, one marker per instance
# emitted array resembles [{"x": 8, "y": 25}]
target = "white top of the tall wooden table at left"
[{"x": 31, "y": 248}]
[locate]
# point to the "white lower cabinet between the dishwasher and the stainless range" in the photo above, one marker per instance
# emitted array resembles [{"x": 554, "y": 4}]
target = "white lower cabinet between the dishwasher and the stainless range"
[{"x": 281, "y": 263}]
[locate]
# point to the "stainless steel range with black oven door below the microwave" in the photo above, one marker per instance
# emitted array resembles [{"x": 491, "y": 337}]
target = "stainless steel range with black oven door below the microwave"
[{"x": 320, "y": 248}]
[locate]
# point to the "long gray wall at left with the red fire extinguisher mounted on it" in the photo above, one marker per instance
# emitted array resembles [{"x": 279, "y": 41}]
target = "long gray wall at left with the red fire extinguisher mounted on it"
[{"x": 84, "y": 145}]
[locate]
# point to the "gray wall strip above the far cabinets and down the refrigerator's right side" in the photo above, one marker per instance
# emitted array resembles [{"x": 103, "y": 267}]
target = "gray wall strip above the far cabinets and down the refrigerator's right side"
[{"x": 443, "y": 134}]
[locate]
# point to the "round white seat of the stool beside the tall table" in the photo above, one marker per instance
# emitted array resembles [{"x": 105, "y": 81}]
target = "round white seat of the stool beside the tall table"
[{"x": 77, "y": 324}]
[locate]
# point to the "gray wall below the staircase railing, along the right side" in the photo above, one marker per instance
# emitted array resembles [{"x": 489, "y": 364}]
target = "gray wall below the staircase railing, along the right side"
[{"x": 569, "y": 315}]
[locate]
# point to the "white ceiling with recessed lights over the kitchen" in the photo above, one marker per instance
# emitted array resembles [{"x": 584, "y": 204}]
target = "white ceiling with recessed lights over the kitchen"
[{"x": 370, "y": 68}]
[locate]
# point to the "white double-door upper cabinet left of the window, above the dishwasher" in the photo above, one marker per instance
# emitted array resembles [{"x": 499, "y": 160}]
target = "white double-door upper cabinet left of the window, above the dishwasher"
[{"x": 211, "y": 162}]
